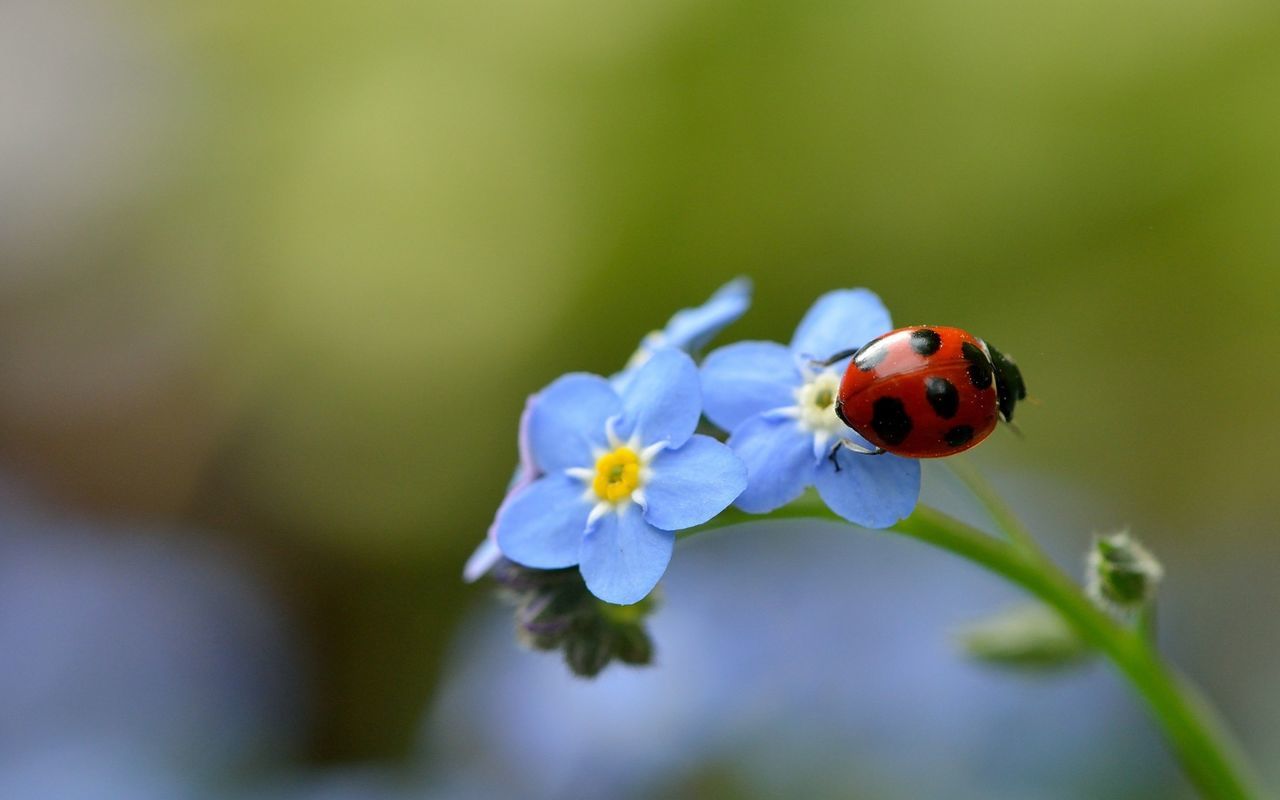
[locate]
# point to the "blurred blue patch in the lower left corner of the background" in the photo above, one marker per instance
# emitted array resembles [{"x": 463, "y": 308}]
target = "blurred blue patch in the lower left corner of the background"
[{"x": 135, "y": 665}]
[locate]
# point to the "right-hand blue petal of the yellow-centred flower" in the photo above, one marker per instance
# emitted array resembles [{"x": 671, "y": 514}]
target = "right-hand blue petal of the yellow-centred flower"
[{"x": 693, "y": 484}]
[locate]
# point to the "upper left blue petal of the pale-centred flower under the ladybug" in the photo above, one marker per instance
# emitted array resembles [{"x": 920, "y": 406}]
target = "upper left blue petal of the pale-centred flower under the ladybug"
[{"x": 748, "y": 378}]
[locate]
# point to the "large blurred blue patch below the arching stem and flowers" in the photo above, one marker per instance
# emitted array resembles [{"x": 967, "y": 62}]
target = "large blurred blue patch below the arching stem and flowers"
[{"x": 828, "y": 679}]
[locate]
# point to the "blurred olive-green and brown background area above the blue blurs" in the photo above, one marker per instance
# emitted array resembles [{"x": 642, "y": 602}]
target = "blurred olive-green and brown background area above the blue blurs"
[{"x": 287, "y": 271}]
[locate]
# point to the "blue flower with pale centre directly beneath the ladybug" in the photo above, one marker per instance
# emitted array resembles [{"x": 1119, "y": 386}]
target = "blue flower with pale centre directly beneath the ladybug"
[{"x": 781, "y": 415}]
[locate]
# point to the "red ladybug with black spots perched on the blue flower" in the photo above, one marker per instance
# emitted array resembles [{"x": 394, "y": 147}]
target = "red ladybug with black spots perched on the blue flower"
[{"x": 927, "y": 392}]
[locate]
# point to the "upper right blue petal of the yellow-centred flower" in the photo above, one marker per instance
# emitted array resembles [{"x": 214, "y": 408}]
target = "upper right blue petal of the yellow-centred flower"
[{"x": 664, "y": 400}]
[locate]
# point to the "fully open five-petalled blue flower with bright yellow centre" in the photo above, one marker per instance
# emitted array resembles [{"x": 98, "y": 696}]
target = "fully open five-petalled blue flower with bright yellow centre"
[{"x": 624, "y": 472}]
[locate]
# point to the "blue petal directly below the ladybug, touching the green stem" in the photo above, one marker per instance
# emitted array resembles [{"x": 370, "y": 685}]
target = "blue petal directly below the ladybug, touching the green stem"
[{"x": 871, "y": 491}]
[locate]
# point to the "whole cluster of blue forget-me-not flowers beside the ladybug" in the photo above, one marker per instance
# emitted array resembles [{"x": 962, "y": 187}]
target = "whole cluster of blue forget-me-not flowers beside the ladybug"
[{"x": 612, "y": 468}]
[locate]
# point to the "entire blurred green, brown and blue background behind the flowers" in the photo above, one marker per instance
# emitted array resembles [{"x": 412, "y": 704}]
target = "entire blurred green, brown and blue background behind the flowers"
[{"x": 277, "y": 277}]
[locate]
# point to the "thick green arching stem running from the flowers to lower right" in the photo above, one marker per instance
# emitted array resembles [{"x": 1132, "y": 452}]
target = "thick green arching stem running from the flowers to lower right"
[{"x": 1203, "y": 746}]
